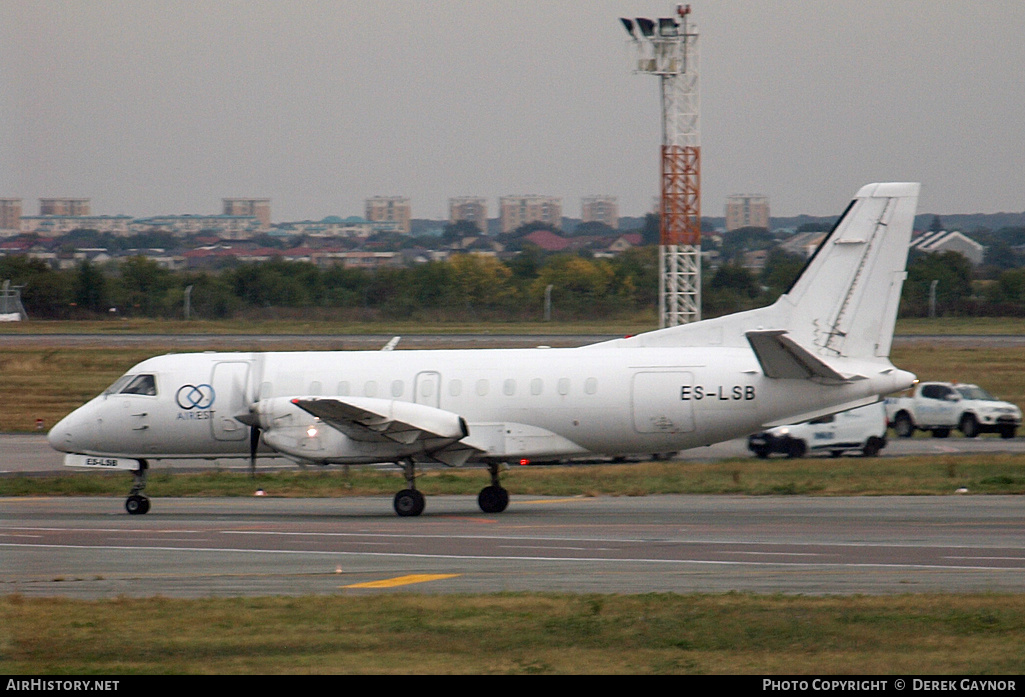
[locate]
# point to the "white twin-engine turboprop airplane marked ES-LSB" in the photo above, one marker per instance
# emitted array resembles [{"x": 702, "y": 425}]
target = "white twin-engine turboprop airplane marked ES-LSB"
[{"x": 823, "y": 348}]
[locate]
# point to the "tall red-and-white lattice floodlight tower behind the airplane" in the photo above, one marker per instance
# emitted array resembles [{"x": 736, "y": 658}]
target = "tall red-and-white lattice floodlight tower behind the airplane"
[{"x": 669, "y": 49}]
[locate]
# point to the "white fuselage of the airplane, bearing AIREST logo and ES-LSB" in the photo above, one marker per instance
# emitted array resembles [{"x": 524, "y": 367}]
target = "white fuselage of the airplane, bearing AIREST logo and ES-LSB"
[{"x": 534, "y": 404}]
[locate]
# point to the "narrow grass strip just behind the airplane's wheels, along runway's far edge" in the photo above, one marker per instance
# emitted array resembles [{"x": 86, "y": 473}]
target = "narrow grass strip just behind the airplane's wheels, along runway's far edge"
[{"x": 937, "y": 476}]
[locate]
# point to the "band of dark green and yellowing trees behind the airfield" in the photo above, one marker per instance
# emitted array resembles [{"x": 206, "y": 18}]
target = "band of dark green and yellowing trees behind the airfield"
[{"x": 466, "y": 288}]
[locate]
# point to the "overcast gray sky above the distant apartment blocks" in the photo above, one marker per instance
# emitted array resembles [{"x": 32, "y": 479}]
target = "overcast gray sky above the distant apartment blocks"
[{"x": 167, "y": 107}]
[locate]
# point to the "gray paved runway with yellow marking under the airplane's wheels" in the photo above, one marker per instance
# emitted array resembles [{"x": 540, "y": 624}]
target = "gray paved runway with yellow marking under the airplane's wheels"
[{"x": 90, "y": 548}]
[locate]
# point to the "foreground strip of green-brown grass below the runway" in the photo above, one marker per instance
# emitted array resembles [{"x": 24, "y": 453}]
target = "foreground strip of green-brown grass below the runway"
[{"x": 517, "y": 634}]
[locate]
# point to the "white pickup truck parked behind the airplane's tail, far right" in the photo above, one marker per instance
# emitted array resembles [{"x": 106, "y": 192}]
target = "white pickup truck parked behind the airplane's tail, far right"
[{"x": 940, "y": 407}]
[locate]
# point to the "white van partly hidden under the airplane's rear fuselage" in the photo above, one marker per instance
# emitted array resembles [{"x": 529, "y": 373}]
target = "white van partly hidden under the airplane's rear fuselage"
[{"x": 863, "y": 430}]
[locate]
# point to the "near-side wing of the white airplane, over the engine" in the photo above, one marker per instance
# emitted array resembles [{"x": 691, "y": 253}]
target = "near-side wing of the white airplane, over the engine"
[{"x": 375, "y": 420}]
